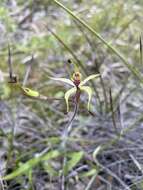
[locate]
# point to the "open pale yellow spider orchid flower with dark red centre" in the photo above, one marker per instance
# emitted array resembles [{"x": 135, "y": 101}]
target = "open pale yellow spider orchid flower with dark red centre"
[{"x": 78, "y": 86}]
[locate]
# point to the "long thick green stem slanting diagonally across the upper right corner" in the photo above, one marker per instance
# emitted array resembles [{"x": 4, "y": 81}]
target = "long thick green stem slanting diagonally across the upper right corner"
[{"x": 130, "y": 67}]
